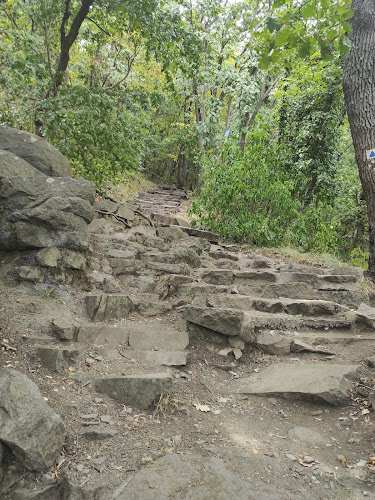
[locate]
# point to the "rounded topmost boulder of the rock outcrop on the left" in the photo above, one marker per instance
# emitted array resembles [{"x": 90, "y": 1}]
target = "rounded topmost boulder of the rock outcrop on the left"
[{"x": 35, "y": 151}]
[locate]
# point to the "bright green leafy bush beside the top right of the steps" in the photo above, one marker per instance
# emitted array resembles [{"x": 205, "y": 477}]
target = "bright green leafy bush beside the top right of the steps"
[{"x": 244, "y": 196}]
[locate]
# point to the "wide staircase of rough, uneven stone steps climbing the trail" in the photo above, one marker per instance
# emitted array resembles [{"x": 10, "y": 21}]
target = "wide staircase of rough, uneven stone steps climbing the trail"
[{"x": 150, "y": 291}]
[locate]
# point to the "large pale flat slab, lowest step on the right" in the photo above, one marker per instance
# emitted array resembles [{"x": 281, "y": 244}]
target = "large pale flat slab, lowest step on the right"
[{"x": 321, "y": 383}]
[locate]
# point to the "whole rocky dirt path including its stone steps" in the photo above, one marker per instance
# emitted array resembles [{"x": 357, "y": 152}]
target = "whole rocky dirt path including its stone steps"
[{"x": 210, "y": 323}]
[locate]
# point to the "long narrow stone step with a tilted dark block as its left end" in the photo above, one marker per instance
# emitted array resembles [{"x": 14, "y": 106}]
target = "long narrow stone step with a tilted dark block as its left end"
[{"x": 234, "y": 322}]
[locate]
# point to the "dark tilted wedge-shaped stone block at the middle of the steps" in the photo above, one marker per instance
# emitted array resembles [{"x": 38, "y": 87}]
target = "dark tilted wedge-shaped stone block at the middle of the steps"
[{"x": 225, "y": 321}]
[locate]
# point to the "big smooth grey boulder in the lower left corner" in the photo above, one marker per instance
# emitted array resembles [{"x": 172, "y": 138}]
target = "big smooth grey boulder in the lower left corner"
[{"x": 39, "y": 439}]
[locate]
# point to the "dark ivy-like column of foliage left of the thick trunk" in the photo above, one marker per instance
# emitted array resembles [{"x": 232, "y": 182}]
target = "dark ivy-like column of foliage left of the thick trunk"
[{"x": 311, "y": 112}]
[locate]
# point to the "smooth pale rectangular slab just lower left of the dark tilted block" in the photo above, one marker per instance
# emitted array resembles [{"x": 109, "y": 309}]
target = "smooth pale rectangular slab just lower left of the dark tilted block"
[{"x": 149, "y": 337}]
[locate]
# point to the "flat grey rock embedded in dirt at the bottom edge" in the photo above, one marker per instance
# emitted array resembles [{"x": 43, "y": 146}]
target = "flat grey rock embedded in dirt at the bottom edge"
[{"x": 188, "y": 477}]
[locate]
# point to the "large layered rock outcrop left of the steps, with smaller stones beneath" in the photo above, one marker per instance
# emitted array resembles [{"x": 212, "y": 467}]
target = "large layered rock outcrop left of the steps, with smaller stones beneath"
[{"x": 43, "y": 211}]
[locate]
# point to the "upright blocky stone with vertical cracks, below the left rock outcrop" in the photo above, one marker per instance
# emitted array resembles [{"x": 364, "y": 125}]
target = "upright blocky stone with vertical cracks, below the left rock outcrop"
[{"x": 107, "y": 307}]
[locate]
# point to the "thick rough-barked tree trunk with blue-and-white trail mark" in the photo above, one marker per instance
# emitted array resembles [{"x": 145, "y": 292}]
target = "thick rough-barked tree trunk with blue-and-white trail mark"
[{"x": 359, "y": 92}]
